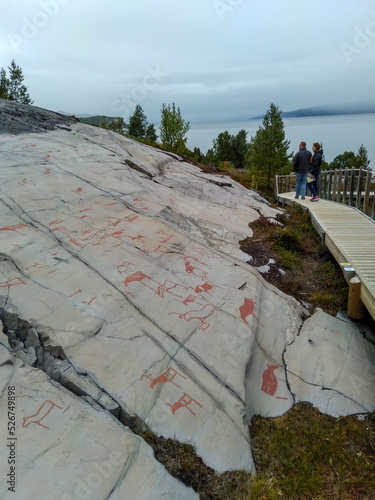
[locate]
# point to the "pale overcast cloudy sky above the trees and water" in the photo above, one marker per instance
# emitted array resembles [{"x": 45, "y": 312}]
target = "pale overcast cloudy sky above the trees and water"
[{"x": 218, "y": 60}]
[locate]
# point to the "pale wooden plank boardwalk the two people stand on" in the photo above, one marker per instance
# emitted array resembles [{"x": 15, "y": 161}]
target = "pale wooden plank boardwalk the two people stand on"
[{"x": 349, "y": 235}]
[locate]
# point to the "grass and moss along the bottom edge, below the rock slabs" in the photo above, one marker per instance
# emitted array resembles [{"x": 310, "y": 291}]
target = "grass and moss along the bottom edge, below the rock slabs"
[{"x": 302, "y": 455}]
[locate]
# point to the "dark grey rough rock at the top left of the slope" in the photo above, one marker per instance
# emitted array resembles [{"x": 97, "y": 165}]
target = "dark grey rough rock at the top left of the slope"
[{"x": 18, "y": 118}]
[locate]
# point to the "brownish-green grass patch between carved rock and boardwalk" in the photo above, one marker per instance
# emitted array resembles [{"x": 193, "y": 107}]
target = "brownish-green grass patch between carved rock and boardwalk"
[{"x": 302, "y": 268}]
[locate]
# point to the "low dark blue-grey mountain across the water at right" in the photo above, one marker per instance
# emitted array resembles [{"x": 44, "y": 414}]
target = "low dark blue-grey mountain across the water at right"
[{"x": 325, "y": 110}]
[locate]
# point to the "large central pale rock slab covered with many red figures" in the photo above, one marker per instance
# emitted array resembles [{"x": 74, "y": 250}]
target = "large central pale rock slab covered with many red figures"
[{"x": 125, "y": 260}]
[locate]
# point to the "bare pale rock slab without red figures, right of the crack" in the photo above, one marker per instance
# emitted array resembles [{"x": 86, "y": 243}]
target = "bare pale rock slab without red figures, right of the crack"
[{"x": 332, "y": 366}]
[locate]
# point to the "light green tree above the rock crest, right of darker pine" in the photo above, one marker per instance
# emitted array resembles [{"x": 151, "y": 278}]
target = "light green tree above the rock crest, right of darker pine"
[{"x": 173, "y": 129}]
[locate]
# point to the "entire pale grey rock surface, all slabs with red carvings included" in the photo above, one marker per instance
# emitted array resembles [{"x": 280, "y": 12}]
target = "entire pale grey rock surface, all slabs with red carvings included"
[{"x": 129, "y": 305}]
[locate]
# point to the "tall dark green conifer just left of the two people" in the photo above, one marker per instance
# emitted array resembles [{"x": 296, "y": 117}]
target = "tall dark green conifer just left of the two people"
[{"x": 268, "y": 151}]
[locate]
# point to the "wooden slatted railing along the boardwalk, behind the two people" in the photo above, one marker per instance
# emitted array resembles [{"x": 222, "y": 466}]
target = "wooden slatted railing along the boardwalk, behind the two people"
[{"x": 350, "y": 186}]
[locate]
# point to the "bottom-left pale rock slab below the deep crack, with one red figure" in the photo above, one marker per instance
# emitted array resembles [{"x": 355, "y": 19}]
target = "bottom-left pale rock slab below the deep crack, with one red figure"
[{"x": 66, "y": 450}]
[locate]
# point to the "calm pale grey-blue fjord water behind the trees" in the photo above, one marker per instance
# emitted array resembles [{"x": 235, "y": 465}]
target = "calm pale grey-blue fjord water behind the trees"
[{"x": 337, "y": 133}]
